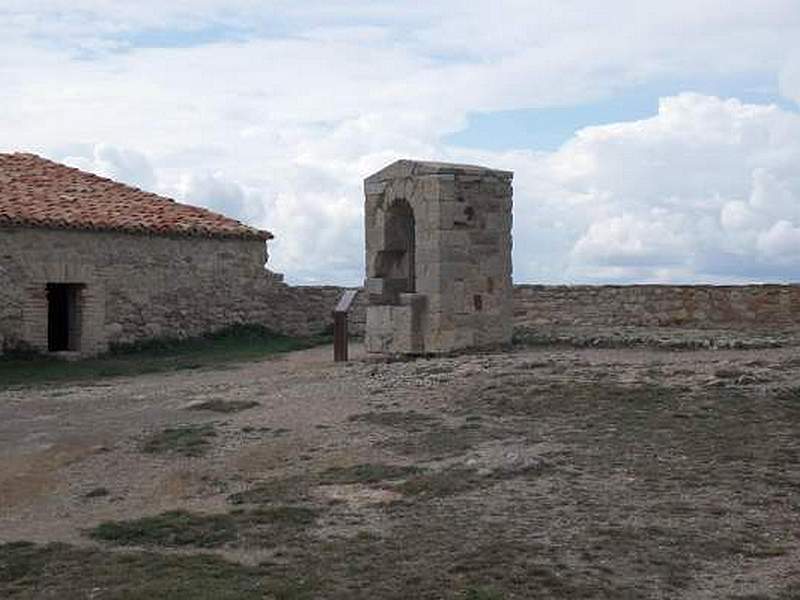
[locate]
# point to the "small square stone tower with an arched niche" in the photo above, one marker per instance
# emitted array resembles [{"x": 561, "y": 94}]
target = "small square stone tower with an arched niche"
[{"x": 438, "y": 258}]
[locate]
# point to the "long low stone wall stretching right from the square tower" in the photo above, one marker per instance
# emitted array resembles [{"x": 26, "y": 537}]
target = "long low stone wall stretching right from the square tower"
[{"x": 689, "y": 306}]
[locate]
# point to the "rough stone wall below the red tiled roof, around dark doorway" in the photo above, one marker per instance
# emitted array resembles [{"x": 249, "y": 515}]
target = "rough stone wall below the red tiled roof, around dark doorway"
[{"x": 134, "y": 287}]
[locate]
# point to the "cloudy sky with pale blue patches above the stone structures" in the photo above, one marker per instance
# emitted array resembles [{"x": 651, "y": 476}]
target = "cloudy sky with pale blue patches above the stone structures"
[{"x": 651, "y": 141}]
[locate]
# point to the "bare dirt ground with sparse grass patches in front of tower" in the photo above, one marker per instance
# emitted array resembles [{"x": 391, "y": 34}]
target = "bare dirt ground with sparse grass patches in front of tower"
[{"x": 535, "y": 473}]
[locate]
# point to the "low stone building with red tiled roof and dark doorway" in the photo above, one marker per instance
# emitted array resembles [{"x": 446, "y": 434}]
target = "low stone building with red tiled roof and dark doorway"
[{"x": 86, "y": 263}]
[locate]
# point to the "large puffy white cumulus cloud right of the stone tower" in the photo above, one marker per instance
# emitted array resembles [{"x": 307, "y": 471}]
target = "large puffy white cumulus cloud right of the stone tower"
[{"x": 706, "y": 190}]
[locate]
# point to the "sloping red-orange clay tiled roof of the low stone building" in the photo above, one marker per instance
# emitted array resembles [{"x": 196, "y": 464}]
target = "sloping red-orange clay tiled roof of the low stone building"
[{"x": 36, "y": 192}]
